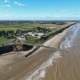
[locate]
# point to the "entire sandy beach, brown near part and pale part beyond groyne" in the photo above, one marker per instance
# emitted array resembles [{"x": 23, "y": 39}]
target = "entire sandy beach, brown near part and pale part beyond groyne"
[{"x": 14, "y": 66}]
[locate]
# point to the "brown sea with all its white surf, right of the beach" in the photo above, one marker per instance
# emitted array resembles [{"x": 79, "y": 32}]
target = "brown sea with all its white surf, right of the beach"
[{"x": 62, "y": 65}]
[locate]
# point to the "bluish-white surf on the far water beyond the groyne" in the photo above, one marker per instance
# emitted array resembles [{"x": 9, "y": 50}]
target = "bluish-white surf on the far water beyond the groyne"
[{"x": 72, "y": 34}]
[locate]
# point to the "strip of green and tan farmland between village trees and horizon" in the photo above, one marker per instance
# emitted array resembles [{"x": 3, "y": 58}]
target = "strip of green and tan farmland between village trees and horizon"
[{"x": 29, "y": 25}]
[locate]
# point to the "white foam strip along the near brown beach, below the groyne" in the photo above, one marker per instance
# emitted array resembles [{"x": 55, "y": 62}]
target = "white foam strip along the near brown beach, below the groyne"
[{"x": 41, "y": 71}]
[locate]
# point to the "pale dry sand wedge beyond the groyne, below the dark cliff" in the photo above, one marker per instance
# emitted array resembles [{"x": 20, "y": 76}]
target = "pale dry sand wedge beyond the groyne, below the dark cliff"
[{"x": 57, "y": 39}]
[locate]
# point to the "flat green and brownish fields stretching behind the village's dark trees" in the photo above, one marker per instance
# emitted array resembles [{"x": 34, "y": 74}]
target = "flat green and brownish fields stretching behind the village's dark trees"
[{"x": 30, "y": 26}]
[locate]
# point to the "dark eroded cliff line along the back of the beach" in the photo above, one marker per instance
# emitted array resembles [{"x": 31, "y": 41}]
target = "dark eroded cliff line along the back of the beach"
[{"x": 20, "y": 47}]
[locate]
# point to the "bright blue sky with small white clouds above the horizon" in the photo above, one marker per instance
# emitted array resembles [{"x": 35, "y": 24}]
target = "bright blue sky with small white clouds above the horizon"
[{"x": 39, "y": 9}]
